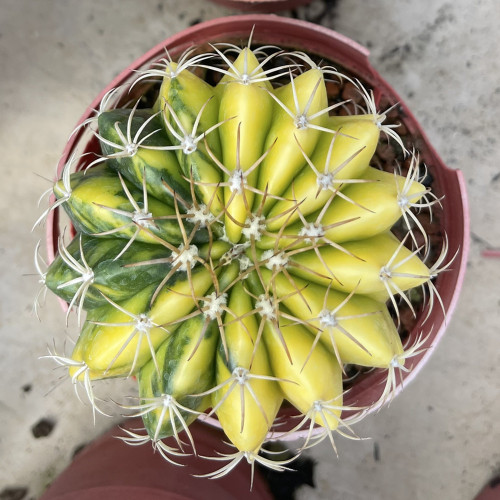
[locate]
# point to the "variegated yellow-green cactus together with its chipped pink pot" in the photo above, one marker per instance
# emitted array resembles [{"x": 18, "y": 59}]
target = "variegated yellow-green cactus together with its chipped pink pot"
[{"x": 258, "y": 236}]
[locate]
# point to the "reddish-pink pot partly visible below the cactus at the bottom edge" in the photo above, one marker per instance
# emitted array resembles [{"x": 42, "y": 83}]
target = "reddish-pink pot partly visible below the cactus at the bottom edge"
[{"x": 109, "y": 470}]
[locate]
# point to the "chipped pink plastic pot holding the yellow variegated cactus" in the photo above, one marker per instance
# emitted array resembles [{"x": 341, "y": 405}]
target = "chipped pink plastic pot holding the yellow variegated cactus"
[{"x": 295, "y": 34}]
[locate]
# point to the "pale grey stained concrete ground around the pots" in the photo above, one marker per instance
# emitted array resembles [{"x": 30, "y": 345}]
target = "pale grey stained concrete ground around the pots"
[{"x": 440, "y": 439}]
